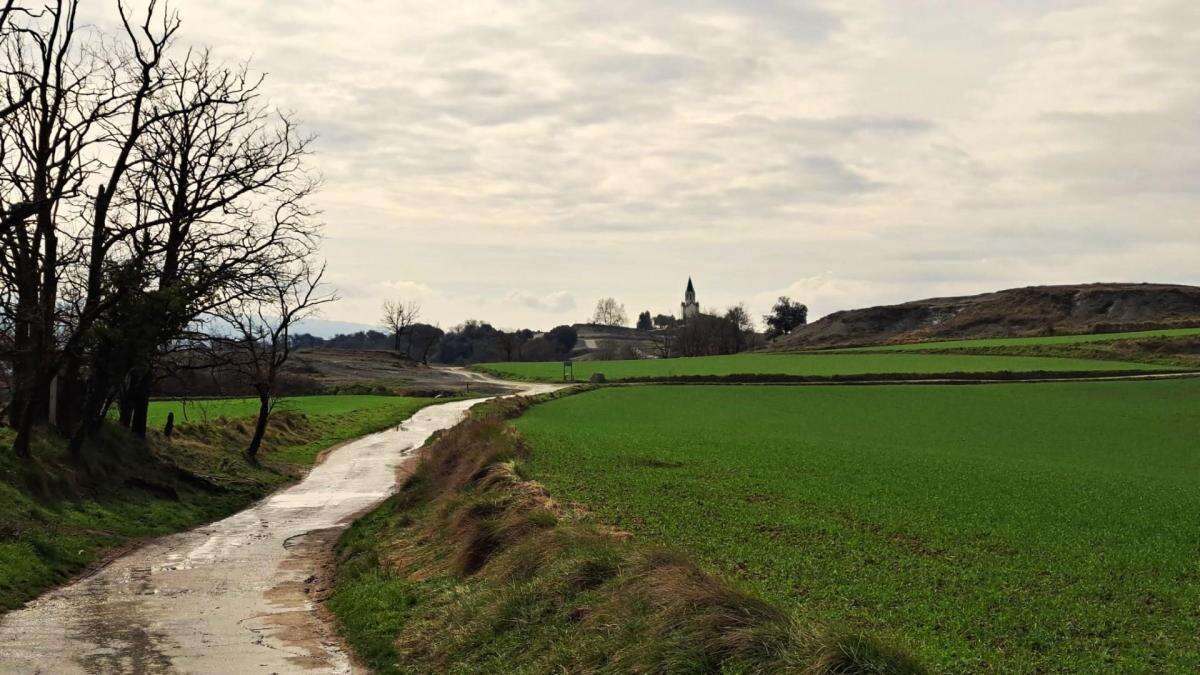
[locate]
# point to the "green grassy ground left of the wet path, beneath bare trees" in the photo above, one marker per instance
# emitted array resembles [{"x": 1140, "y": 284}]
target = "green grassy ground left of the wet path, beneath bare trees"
[{"x": 61, "y": 516}]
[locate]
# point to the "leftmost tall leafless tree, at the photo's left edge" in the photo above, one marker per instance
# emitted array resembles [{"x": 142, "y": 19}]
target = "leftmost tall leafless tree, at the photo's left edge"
[{"x": 47, "y": 151}]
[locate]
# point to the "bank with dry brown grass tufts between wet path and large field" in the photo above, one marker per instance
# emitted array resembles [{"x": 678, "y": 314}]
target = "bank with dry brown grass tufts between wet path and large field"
[{"x": 473, "y": 569}]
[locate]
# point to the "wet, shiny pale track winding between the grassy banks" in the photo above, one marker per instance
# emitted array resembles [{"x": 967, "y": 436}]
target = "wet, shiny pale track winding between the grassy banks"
[{"x": 235, "y": 596}]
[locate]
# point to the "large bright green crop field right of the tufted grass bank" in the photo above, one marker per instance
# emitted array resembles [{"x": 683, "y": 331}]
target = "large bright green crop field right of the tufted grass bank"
[{"x": 1017, "y": 528}]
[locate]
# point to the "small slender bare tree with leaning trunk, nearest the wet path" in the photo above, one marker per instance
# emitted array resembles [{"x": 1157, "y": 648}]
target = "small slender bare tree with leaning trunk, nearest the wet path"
[{"x": 261, "y": 342}]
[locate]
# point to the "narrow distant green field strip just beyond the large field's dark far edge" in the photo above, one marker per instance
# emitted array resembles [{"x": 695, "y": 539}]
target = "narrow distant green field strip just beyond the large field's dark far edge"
[{"x": 808, "y": 365}]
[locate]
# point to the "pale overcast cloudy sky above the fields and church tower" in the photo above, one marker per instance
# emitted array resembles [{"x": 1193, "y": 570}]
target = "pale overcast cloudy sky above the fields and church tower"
[{"x": 515, "y": 162}]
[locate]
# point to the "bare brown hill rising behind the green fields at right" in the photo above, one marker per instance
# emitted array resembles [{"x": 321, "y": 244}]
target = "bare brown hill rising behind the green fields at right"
[{"x": 1035, "y": 310}]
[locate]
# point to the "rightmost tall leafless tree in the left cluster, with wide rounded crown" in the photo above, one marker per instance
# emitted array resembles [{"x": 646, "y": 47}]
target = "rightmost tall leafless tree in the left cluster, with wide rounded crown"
[{"x": 202, "y": 183}]
